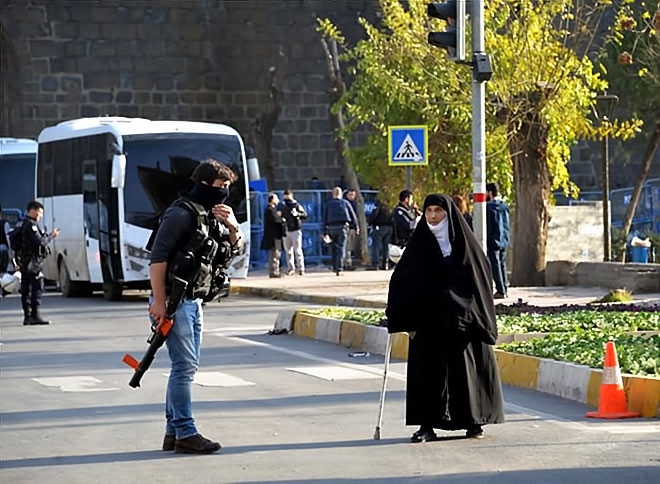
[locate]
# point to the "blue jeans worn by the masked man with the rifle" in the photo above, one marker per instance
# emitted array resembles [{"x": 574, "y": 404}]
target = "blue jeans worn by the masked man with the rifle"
[{"x": 184, "y": 343}]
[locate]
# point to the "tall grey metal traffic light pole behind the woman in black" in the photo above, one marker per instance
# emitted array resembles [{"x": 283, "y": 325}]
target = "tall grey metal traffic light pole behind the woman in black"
[{"x": 478, "y": 128}]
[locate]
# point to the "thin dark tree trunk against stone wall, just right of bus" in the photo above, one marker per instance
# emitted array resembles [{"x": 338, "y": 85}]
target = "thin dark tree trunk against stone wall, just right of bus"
[{"x": 264, "y": 127}]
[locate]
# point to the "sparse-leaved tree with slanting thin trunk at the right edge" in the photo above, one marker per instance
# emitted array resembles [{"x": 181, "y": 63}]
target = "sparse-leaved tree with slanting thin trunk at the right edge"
[{"x": 632, "y": 65}]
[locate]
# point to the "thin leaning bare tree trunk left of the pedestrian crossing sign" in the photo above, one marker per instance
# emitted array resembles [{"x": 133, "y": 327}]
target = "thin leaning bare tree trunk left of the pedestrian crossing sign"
[{"x": 335, "y": 92}]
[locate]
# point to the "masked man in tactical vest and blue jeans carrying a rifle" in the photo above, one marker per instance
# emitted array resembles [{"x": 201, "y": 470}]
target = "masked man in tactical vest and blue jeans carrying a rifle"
[{"x": 188, "y": 245}]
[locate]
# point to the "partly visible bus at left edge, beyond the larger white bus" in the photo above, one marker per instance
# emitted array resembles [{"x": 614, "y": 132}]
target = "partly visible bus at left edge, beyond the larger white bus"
[{"x": 18, "y": 158}]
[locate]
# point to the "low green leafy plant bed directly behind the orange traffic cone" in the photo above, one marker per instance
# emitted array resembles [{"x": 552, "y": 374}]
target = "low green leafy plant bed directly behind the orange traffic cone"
[{"x": 638, "y": 355}]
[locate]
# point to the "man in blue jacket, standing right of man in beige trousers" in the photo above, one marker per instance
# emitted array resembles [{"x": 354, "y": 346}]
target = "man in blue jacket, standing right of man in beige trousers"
[{"x": 338, "y": 217}]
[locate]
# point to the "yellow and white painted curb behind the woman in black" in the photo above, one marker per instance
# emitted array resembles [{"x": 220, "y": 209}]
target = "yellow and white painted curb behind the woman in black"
[{"x": 566, "y": 380}]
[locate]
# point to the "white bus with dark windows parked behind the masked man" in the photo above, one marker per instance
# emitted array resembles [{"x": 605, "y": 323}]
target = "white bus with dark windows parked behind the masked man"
[{"x": 104, "y": 182}]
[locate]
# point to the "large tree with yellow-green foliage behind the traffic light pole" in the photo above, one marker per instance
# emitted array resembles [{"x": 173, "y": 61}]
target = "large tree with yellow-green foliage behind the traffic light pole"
[{"x": 541, "y": 93}]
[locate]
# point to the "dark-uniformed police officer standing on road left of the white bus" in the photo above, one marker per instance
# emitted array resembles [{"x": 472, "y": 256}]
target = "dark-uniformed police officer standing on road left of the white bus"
[{"x": 30, "y": 258}]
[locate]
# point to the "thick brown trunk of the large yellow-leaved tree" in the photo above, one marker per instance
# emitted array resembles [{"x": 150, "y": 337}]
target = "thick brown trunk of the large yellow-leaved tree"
[{"x": 532, "y": 184}]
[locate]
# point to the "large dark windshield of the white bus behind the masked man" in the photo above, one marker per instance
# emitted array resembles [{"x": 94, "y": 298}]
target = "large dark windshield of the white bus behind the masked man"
[{"x": 158, "y": 168}]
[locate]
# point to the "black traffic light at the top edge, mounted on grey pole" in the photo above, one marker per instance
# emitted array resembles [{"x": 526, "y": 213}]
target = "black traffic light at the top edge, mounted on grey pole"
[{"x": 453, "y": 38}]
